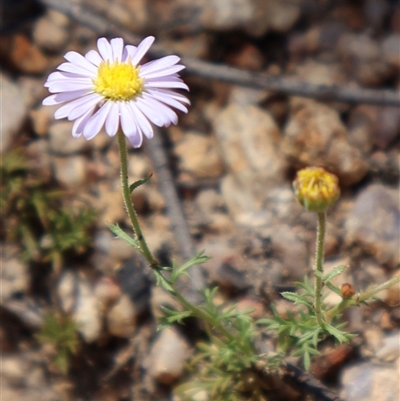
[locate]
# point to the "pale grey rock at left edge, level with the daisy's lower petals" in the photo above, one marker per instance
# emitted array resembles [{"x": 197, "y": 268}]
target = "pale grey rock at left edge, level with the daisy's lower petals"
[{"x": 14, "y": 110}]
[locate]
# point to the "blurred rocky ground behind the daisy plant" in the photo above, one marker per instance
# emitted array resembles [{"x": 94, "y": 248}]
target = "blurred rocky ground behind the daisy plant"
[{"x": 79, "y": 308}]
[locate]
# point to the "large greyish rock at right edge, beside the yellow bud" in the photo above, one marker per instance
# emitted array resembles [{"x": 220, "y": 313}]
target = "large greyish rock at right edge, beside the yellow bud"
[{"x": 378, "y": 234}]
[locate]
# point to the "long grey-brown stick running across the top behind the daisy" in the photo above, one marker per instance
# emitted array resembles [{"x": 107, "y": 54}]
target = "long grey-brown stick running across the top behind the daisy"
[{"x": 277, "y": 84}]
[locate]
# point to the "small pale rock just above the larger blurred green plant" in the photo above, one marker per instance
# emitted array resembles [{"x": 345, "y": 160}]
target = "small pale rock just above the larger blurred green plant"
[{"x": 70, "y": 171}]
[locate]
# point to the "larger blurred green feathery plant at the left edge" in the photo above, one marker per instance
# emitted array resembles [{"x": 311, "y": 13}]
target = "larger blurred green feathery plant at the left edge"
[{"x": 38, "y": 216}]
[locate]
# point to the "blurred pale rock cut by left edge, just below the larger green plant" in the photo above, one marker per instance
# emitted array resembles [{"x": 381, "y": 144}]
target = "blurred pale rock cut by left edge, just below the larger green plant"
[{"x": 14, "y": 274}]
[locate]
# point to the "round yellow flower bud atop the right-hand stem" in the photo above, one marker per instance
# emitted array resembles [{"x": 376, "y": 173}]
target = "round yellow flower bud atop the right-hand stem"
[{"x": 316, "y": 189}]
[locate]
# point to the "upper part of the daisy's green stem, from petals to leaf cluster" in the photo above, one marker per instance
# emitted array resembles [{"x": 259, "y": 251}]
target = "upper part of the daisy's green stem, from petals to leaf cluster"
[{"x": 129, "y": 204}]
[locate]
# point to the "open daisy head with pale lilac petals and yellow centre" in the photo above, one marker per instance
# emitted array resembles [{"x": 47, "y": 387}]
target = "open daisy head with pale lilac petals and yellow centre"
[{"x": 108, "y": 88}]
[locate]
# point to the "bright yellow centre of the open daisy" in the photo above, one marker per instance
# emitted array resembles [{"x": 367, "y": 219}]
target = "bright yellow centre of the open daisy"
[{"x": 118, "y": 81}]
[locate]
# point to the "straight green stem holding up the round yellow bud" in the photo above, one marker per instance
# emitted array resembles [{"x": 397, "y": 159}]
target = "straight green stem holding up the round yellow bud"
[{"x": 318, "y": 267}]
